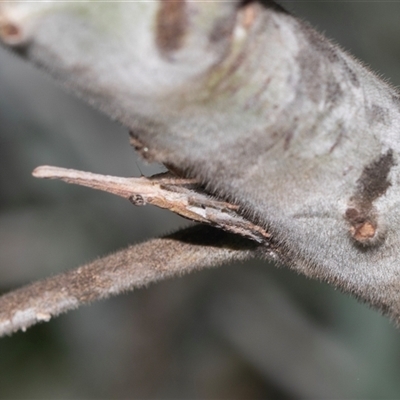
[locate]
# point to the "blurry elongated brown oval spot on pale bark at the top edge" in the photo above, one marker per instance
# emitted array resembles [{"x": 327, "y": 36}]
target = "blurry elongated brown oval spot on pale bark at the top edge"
[{"x": 171, "y": 25}]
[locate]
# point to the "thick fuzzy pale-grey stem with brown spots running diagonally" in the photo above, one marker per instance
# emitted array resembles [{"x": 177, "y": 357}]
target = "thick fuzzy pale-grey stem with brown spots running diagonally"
[{"x": 254, "y": 105}]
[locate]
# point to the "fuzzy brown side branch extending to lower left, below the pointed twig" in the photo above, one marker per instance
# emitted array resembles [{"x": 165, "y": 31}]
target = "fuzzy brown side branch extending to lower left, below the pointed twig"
[{"x": 137, "y": 266}]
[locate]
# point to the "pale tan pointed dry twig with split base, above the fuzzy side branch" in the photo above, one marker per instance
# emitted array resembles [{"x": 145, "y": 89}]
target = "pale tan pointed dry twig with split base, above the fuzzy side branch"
[{"x": 182, "y": 196}]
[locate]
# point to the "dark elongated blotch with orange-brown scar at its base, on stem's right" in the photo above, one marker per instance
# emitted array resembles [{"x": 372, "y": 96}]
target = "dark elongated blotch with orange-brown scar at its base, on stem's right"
[{"x": 361, "y": 213}]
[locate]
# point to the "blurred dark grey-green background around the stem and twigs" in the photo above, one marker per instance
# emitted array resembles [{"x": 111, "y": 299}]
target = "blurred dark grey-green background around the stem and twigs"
[{"x": 238, "y": 332}]
